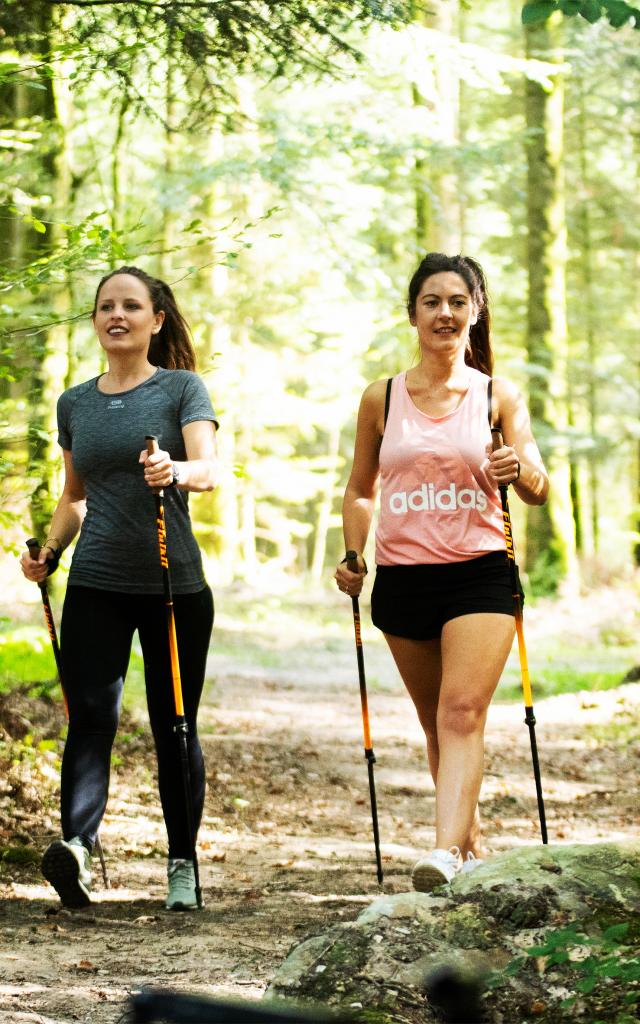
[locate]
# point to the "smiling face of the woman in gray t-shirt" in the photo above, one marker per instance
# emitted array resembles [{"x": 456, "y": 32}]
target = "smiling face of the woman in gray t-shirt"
[{"x": 124, "y": 318}]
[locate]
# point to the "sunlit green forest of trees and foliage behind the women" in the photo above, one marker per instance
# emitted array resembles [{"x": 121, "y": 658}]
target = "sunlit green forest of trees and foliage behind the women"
[{"x": 285, "y": 166}]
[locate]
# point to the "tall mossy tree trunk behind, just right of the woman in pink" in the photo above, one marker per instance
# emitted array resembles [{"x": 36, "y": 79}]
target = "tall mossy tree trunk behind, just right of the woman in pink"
[{"x": 550, "y": 537}]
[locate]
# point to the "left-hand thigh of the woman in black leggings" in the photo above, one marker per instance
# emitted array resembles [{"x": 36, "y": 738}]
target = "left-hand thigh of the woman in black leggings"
[{"x": 96, "y": 646}]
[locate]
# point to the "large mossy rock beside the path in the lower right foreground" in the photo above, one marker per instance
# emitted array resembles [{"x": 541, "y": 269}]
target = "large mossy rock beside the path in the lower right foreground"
[{"x": 579, "y": 904}]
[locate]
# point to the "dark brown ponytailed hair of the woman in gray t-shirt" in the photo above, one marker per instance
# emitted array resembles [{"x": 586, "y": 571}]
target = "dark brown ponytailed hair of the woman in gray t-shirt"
[{"x": 173, "y": 347}]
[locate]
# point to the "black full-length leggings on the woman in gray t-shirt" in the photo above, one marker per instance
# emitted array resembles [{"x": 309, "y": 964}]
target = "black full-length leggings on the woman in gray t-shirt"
[{"x": 98, "y": 629}]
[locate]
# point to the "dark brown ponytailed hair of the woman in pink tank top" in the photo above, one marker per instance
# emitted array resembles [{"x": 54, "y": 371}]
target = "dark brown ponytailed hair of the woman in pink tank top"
[{"x": 480, "y": 354}]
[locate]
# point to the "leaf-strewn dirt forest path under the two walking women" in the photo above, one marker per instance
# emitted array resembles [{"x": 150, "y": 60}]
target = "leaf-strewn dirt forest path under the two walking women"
[{"x": 286, "y": 847}]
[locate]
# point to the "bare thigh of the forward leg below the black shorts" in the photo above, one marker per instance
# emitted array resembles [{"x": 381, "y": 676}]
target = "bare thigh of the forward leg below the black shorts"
[{"x": 475, "y": 650}]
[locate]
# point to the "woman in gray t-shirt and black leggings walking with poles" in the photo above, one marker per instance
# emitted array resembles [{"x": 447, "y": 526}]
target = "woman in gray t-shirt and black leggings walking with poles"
[{"x": 115, "y": 583}]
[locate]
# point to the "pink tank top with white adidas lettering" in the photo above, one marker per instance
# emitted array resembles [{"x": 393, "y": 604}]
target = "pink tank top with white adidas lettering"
[{"x": 437, "y": 502}]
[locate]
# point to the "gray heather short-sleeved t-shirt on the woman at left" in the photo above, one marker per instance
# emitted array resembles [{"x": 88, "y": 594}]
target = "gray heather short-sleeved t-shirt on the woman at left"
[{"x": 118, "y": 545}]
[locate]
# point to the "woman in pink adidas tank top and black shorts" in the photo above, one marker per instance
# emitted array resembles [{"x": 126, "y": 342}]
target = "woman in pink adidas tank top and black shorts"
[{"x": 443, "y": 595}]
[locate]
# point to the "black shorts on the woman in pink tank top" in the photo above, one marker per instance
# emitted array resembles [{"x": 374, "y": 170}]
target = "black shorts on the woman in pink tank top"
[{"x": 415, "y": 602}]
